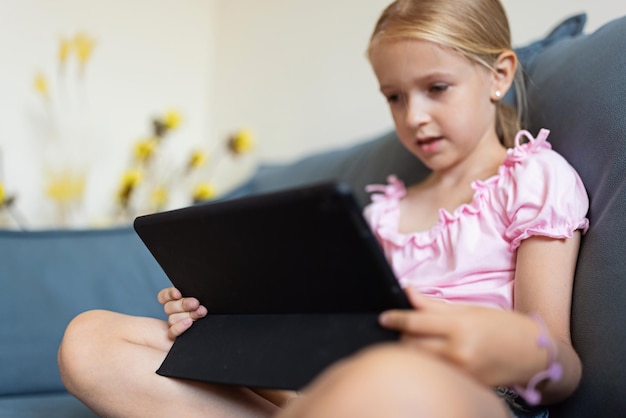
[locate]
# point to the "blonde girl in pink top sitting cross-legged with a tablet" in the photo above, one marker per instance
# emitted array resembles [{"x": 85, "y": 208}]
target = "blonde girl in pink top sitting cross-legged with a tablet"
[{"x": 485, "y": 246}]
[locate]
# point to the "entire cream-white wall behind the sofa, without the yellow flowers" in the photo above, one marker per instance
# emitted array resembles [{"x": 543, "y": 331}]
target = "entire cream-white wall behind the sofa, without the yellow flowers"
[{"x": 294, "y": 71}]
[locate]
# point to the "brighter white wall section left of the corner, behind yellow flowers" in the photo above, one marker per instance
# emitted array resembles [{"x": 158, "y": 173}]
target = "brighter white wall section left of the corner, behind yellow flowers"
[{"x": 150, "y": 56}]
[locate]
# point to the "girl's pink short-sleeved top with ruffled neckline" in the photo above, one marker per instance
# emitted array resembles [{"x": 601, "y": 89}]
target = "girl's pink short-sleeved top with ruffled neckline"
[{"x": 469, "y": 255}]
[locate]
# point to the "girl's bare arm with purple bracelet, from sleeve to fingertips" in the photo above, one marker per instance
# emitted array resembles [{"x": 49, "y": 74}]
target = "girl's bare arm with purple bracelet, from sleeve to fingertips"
[{"x": 500, "y": 348}]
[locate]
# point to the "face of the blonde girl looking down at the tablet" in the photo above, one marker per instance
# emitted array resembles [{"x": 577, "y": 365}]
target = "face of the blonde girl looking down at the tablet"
[{"x": 441, "y": 102}]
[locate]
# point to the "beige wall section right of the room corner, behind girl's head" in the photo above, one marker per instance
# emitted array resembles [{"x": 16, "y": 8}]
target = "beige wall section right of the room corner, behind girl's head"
[{"x": 296, "y": 70}]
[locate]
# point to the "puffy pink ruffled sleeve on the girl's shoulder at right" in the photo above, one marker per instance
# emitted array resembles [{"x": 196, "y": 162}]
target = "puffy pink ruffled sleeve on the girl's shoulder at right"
[{"x": 542, "y": 193}]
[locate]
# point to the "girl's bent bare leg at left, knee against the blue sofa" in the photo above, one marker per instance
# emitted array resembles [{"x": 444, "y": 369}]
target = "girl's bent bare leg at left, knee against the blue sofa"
[{"x": 108, "y": 360}]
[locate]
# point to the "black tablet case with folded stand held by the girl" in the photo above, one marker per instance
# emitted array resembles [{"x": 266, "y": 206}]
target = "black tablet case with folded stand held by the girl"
[{"x": 293, "y": 280}]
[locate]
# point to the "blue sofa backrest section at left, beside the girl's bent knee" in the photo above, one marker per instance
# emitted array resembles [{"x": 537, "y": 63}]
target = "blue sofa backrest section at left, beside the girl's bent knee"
[{"x": 48, "y": 277}]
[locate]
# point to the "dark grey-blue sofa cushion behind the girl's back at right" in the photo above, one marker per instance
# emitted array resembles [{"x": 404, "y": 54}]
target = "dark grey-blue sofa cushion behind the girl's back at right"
[{"x": 577, "y": 90}]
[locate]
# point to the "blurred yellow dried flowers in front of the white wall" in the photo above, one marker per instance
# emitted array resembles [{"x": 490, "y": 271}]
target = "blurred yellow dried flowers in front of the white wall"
[{"x": 145, "y": 186}]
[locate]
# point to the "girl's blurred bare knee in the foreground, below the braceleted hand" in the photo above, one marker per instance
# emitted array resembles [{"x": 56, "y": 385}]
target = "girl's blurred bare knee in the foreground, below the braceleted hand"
[{"x": 395, "y": 381}]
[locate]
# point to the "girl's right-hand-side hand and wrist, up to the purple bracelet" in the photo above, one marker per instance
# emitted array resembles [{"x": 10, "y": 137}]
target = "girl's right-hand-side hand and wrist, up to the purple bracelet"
[{"x": 497, "y": 347}]
